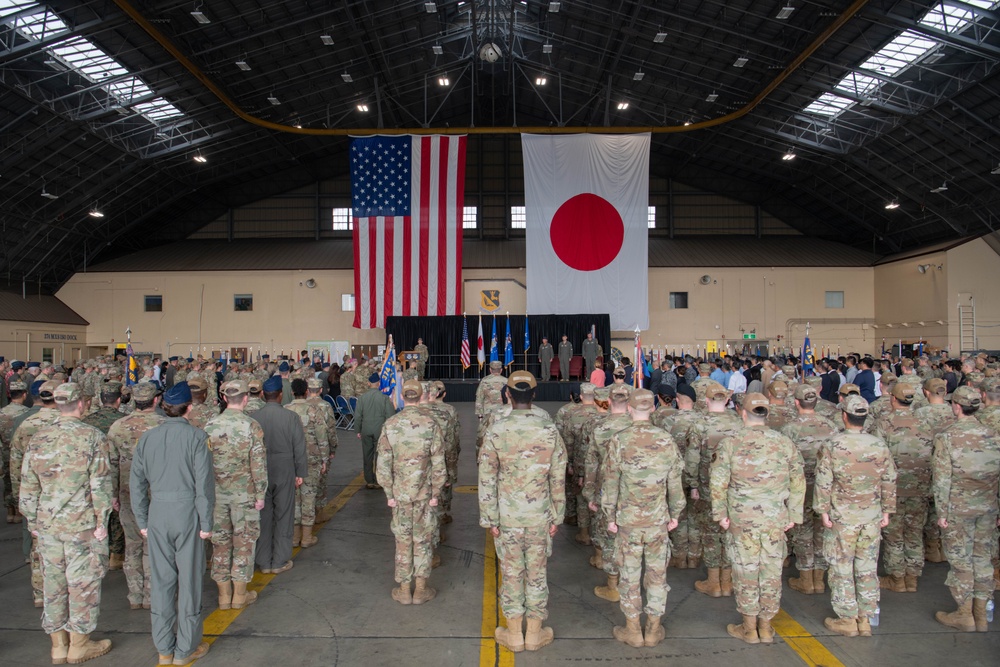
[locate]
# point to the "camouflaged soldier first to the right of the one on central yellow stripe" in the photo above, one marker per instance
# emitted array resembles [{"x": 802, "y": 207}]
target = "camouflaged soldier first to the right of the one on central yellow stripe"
[{"x": 642, "y": 494}]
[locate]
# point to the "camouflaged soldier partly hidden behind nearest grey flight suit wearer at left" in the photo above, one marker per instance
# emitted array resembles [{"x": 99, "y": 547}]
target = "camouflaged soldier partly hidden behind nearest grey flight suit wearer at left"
[{"x": 123, "y": 436}]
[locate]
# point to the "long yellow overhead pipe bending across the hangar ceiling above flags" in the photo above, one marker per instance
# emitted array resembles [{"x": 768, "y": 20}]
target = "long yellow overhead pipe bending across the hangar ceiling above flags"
[{"x": 820, "y": 40}]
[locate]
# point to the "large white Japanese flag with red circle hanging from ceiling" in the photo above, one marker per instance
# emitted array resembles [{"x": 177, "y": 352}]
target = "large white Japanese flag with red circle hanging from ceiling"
[{"x": 586, "y": 201}]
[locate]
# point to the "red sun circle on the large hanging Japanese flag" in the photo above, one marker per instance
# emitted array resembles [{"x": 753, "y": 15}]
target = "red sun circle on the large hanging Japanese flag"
[{"x": 587, "y": 232}]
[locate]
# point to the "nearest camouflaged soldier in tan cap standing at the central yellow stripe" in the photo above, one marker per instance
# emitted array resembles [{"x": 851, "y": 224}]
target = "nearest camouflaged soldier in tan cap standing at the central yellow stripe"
[{"x": 522, "y": 486}]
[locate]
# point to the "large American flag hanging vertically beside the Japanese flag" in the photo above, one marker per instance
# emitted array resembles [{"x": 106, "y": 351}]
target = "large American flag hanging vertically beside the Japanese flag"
[{"x": 407, "y": 193}]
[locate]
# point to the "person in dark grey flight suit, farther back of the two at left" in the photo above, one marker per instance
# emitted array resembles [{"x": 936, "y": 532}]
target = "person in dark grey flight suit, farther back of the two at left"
[{"x": 285, "y": 441}]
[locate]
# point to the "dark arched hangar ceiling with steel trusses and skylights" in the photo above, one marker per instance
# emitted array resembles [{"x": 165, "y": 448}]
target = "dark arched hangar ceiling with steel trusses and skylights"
[{"x": 97, "y": 111}]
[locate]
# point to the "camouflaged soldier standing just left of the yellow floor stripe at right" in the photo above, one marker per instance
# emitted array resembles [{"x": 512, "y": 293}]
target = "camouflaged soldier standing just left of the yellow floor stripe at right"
[{"x": 758, "y": 489}]
